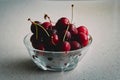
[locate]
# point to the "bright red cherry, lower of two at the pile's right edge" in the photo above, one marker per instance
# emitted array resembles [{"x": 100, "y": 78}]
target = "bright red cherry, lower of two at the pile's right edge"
[{"x": 83, "y": 39}]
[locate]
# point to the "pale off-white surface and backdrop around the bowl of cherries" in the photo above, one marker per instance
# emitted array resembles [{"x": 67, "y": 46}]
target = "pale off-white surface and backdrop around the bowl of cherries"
[{"x": 102, "y": 18}]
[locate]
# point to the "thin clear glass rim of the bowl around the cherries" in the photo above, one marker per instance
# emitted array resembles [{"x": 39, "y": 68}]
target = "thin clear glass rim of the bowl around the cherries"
[{"x": 24, "y": 40}]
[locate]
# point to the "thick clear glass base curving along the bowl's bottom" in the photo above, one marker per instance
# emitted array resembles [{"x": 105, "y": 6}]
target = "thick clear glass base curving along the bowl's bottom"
[{"x": 69, "y": 66}]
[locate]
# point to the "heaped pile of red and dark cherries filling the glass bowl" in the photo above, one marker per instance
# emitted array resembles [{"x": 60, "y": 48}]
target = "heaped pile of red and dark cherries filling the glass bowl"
[{"x": 62, "y": 36}]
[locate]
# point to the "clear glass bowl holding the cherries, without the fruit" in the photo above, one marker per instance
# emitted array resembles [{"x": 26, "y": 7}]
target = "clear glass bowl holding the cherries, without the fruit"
[{"x": 53, "y": 60}]
